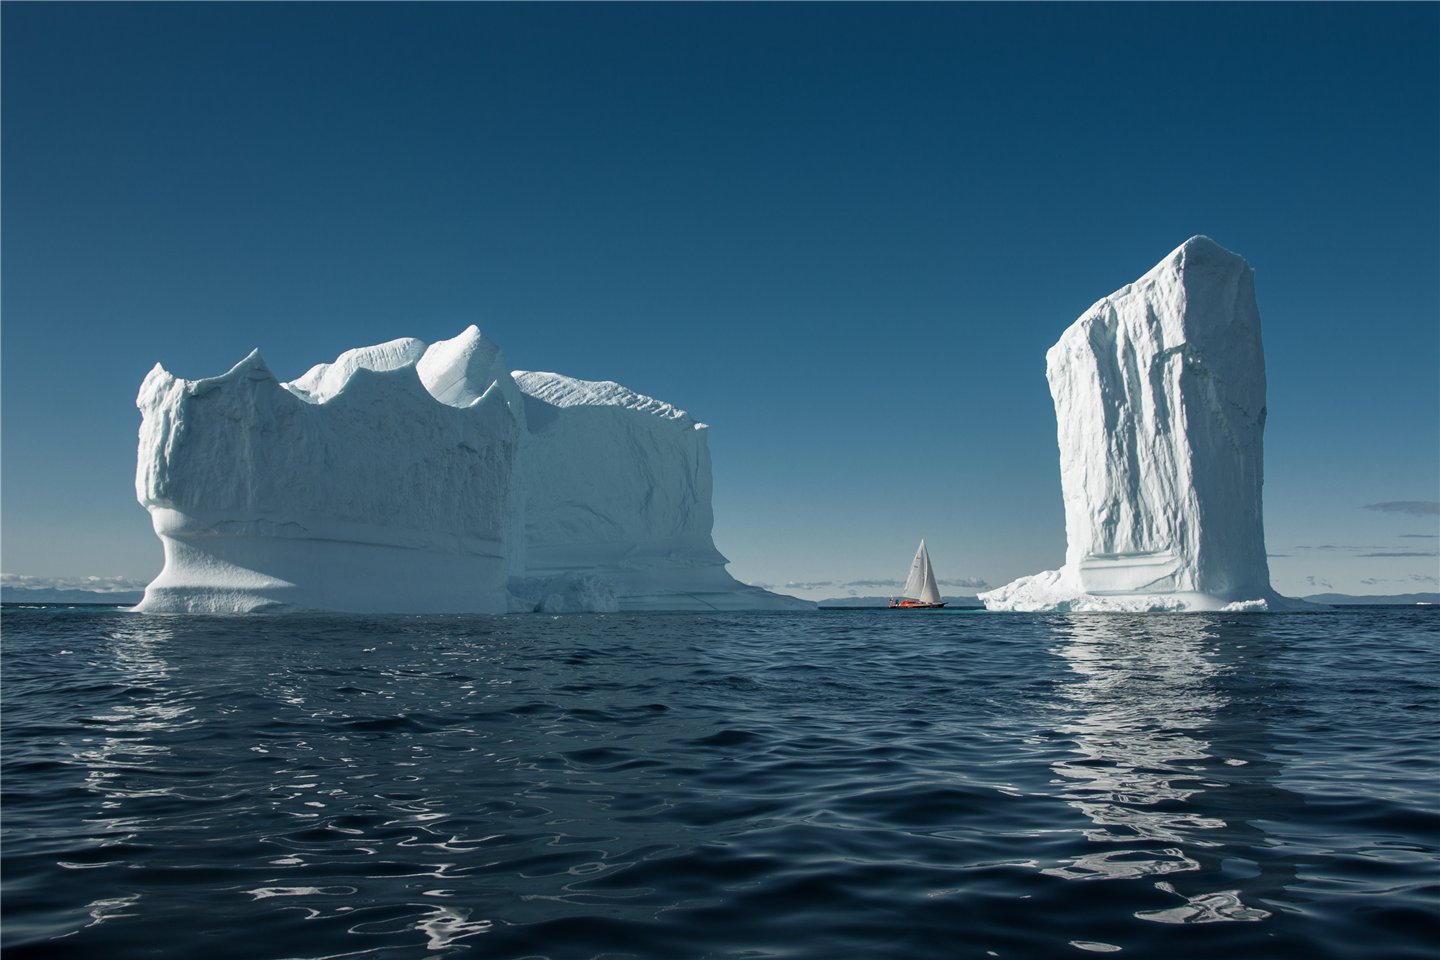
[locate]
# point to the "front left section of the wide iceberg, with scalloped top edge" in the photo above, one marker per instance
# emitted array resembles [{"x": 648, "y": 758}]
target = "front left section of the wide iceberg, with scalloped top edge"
[{"x": 352, "y": 489}]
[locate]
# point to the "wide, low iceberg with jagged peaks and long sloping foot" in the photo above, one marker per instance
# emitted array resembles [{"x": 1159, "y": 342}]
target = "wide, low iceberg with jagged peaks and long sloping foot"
[{"x": 408, "y": 479}]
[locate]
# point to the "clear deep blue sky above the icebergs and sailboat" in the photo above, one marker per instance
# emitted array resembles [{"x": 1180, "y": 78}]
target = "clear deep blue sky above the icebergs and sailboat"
[{"x": 842, "y": 235}]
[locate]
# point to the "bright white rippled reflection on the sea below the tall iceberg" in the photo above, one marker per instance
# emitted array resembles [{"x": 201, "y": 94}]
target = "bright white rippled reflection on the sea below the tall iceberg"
[{"x": 1144, "y": 725}]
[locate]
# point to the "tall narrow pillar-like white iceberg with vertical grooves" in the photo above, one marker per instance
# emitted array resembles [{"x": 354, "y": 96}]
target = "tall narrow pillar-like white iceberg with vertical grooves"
[{"x": 1160, "y": 399}]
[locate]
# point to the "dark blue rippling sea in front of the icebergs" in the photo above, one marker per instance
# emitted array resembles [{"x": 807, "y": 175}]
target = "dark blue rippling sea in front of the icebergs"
[{"x": 834, "y": 785}]
